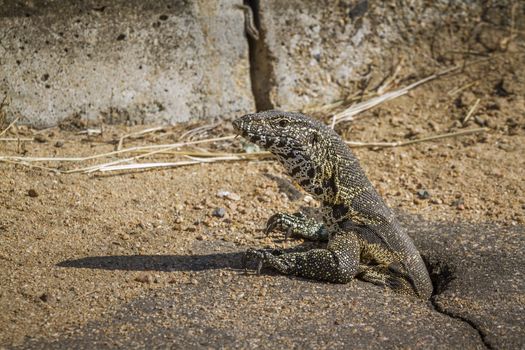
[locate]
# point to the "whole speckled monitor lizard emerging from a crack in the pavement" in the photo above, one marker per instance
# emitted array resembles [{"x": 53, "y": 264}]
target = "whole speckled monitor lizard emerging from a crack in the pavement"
[{"x": 365, "y": 240}]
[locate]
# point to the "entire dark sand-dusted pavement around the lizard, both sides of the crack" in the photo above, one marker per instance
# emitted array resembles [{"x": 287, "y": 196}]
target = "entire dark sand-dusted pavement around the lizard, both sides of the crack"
[{"x": 476, "y": 269}]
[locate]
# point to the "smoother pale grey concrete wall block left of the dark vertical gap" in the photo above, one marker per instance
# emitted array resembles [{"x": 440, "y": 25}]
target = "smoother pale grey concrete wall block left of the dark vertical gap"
[{"x": 135, "y": 60}]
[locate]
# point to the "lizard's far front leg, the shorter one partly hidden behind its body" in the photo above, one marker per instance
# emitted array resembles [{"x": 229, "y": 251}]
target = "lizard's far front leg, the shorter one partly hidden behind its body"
[{"x": 298, "y": 225}]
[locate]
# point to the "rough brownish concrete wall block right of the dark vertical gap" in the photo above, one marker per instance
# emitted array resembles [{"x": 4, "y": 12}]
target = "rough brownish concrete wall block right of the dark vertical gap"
[{"x": 315, "y": 52}]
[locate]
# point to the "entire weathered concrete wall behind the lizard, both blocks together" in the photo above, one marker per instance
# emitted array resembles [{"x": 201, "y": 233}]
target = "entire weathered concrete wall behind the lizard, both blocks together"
[{"x": 171, "y": 60}]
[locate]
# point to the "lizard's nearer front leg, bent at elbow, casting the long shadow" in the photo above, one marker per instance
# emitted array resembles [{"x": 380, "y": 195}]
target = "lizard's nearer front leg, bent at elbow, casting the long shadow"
[{"x": 338, "y": 263}]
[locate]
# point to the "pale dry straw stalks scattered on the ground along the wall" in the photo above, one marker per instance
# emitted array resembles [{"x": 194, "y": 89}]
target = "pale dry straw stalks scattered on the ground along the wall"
[{"x": 198, "y": 157}]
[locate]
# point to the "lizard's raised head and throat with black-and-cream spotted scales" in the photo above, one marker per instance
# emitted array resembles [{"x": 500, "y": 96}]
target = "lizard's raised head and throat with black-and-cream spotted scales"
[{"x": 300, "y": 143}]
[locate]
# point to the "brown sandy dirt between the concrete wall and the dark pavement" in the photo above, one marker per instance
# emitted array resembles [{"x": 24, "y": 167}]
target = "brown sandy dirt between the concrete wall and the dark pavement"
[{"x": 49, "y": 218}]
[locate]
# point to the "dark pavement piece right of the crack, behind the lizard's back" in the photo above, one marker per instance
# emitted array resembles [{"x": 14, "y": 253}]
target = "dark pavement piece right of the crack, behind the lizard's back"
[{"x": 484, "y": 282}]
